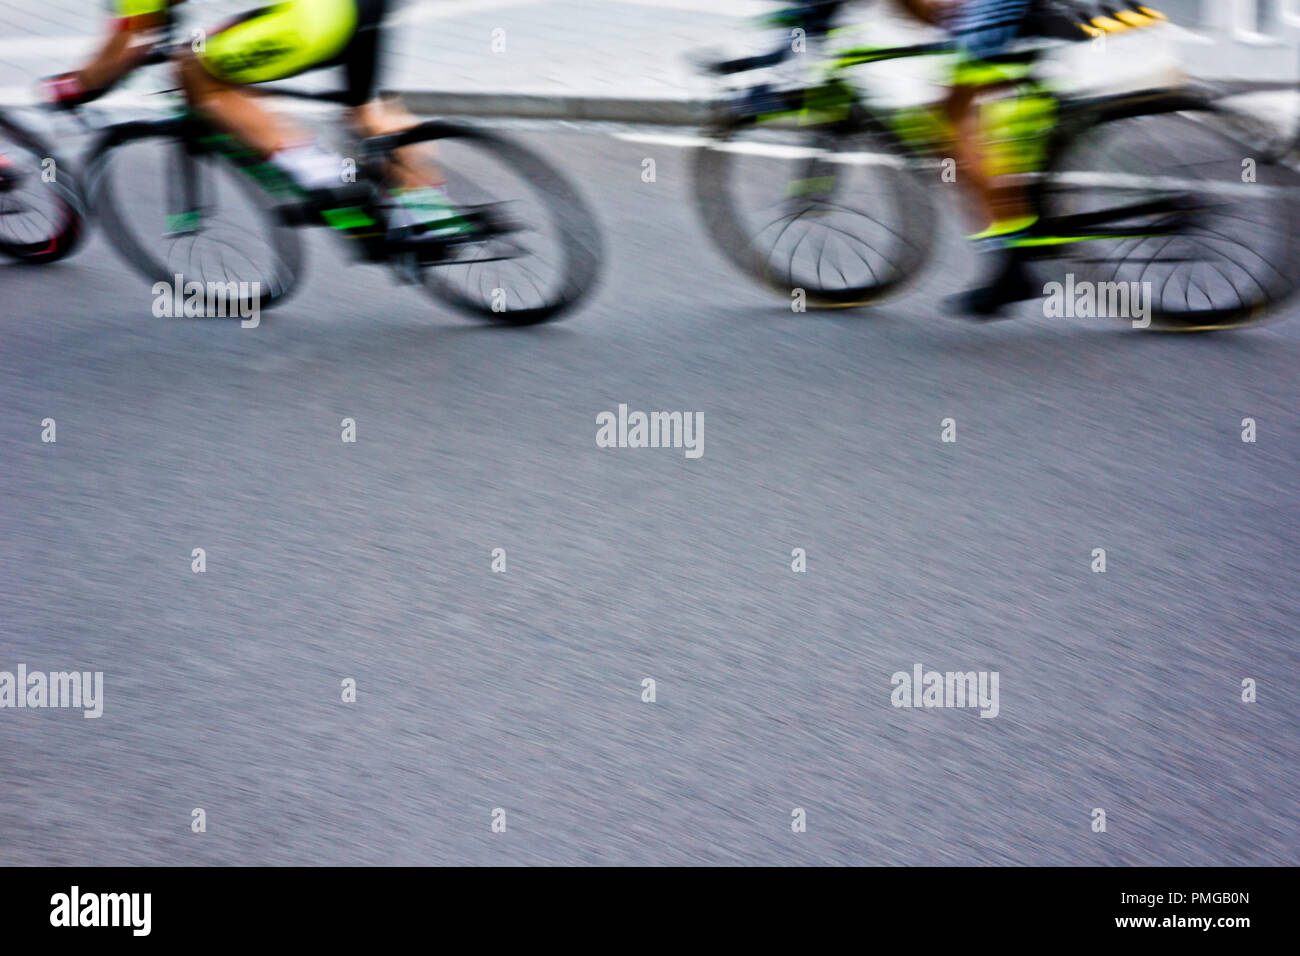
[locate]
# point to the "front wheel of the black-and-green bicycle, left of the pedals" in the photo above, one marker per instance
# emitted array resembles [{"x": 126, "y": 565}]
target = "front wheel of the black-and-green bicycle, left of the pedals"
[{"x": 181, "y": 214}]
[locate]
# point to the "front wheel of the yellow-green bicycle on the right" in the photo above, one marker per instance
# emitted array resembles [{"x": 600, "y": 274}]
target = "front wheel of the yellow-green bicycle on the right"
[{"x": 843, "y": 218}]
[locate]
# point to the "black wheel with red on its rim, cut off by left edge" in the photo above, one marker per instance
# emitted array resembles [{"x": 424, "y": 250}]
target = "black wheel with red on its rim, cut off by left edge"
[{"x": 42, "y": 210}]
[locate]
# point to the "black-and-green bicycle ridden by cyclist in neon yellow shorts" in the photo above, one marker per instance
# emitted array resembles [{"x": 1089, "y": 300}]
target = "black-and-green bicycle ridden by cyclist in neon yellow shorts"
[{"x": 163, "y": 189}]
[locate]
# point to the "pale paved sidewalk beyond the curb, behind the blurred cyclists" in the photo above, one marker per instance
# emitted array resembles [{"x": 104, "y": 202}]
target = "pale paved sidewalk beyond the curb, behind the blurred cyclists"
[{"x": 587, "y": 59}]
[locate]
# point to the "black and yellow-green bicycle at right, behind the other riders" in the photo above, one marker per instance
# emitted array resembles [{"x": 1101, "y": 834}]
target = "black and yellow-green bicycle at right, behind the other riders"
[{"x": 1143, "y": 188}]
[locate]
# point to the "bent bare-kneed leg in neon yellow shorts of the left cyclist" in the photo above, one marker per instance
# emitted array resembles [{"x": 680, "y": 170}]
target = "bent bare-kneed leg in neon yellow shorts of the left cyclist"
[{"x": 270, "y": 44}]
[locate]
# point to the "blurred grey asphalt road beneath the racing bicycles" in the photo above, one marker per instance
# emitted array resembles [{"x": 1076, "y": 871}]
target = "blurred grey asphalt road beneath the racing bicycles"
[{"x": 371, "y": 561}]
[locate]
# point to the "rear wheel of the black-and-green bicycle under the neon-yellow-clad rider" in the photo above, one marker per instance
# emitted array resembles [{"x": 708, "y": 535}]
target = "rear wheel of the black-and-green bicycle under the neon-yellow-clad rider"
[{"x": 539, "y": 253}]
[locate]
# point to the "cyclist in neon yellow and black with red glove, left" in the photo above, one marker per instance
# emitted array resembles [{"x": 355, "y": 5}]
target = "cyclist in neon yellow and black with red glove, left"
[{"x": 265, "y": 45}]
